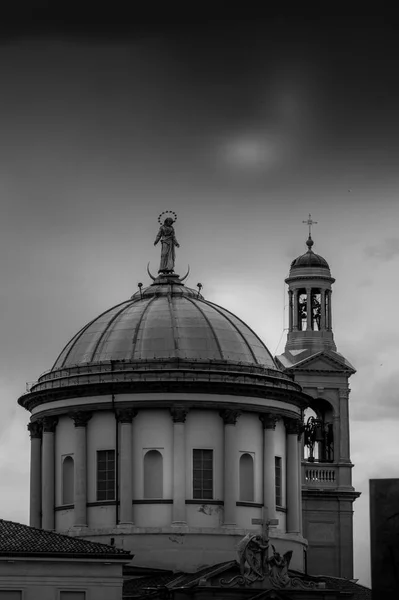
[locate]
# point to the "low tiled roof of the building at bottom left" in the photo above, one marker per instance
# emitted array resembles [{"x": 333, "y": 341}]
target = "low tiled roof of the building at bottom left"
[{"x": 22, "y": 540}]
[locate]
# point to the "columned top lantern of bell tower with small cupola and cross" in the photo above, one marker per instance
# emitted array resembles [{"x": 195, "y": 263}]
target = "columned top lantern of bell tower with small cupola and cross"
[{"x": 310, "y": 308}]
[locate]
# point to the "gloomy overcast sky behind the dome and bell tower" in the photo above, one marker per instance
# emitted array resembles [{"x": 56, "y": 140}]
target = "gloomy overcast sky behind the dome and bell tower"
[{"x": 243, "y": 131}]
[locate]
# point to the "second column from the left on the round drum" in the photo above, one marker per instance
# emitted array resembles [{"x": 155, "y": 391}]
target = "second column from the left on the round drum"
[{"x": 48, "y": 483}]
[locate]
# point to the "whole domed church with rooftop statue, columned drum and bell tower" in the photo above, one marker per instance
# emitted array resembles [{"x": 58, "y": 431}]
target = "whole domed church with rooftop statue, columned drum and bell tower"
[{"x": 165, "y": 426}]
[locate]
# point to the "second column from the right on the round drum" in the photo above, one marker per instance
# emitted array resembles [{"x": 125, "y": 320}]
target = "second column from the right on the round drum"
[{"x": 269, "y": 468}]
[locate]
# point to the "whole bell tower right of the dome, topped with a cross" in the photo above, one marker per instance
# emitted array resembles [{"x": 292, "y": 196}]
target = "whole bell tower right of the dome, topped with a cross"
[{"x": 311, "y": 358}]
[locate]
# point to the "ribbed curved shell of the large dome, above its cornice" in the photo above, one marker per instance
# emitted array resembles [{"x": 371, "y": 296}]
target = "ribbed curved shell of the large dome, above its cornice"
[{"x": 165, "y": 321}]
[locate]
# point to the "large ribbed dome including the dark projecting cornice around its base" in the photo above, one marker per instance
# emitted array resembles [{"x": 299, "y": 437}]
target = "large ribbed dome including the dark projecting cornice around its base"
[{"x": 165, "y": 338}]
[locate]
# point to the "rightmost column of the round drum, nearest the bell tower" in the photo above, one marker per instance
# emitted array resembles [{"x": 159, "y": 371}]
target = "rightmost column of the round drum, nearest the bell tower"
[{"x": 292, "y": 427}]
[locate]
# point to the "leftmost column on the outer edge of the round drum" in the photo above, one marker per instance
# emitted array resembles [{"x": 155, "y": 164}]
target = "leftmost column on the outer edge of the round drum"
[{"x": 35, "y": 511}]
